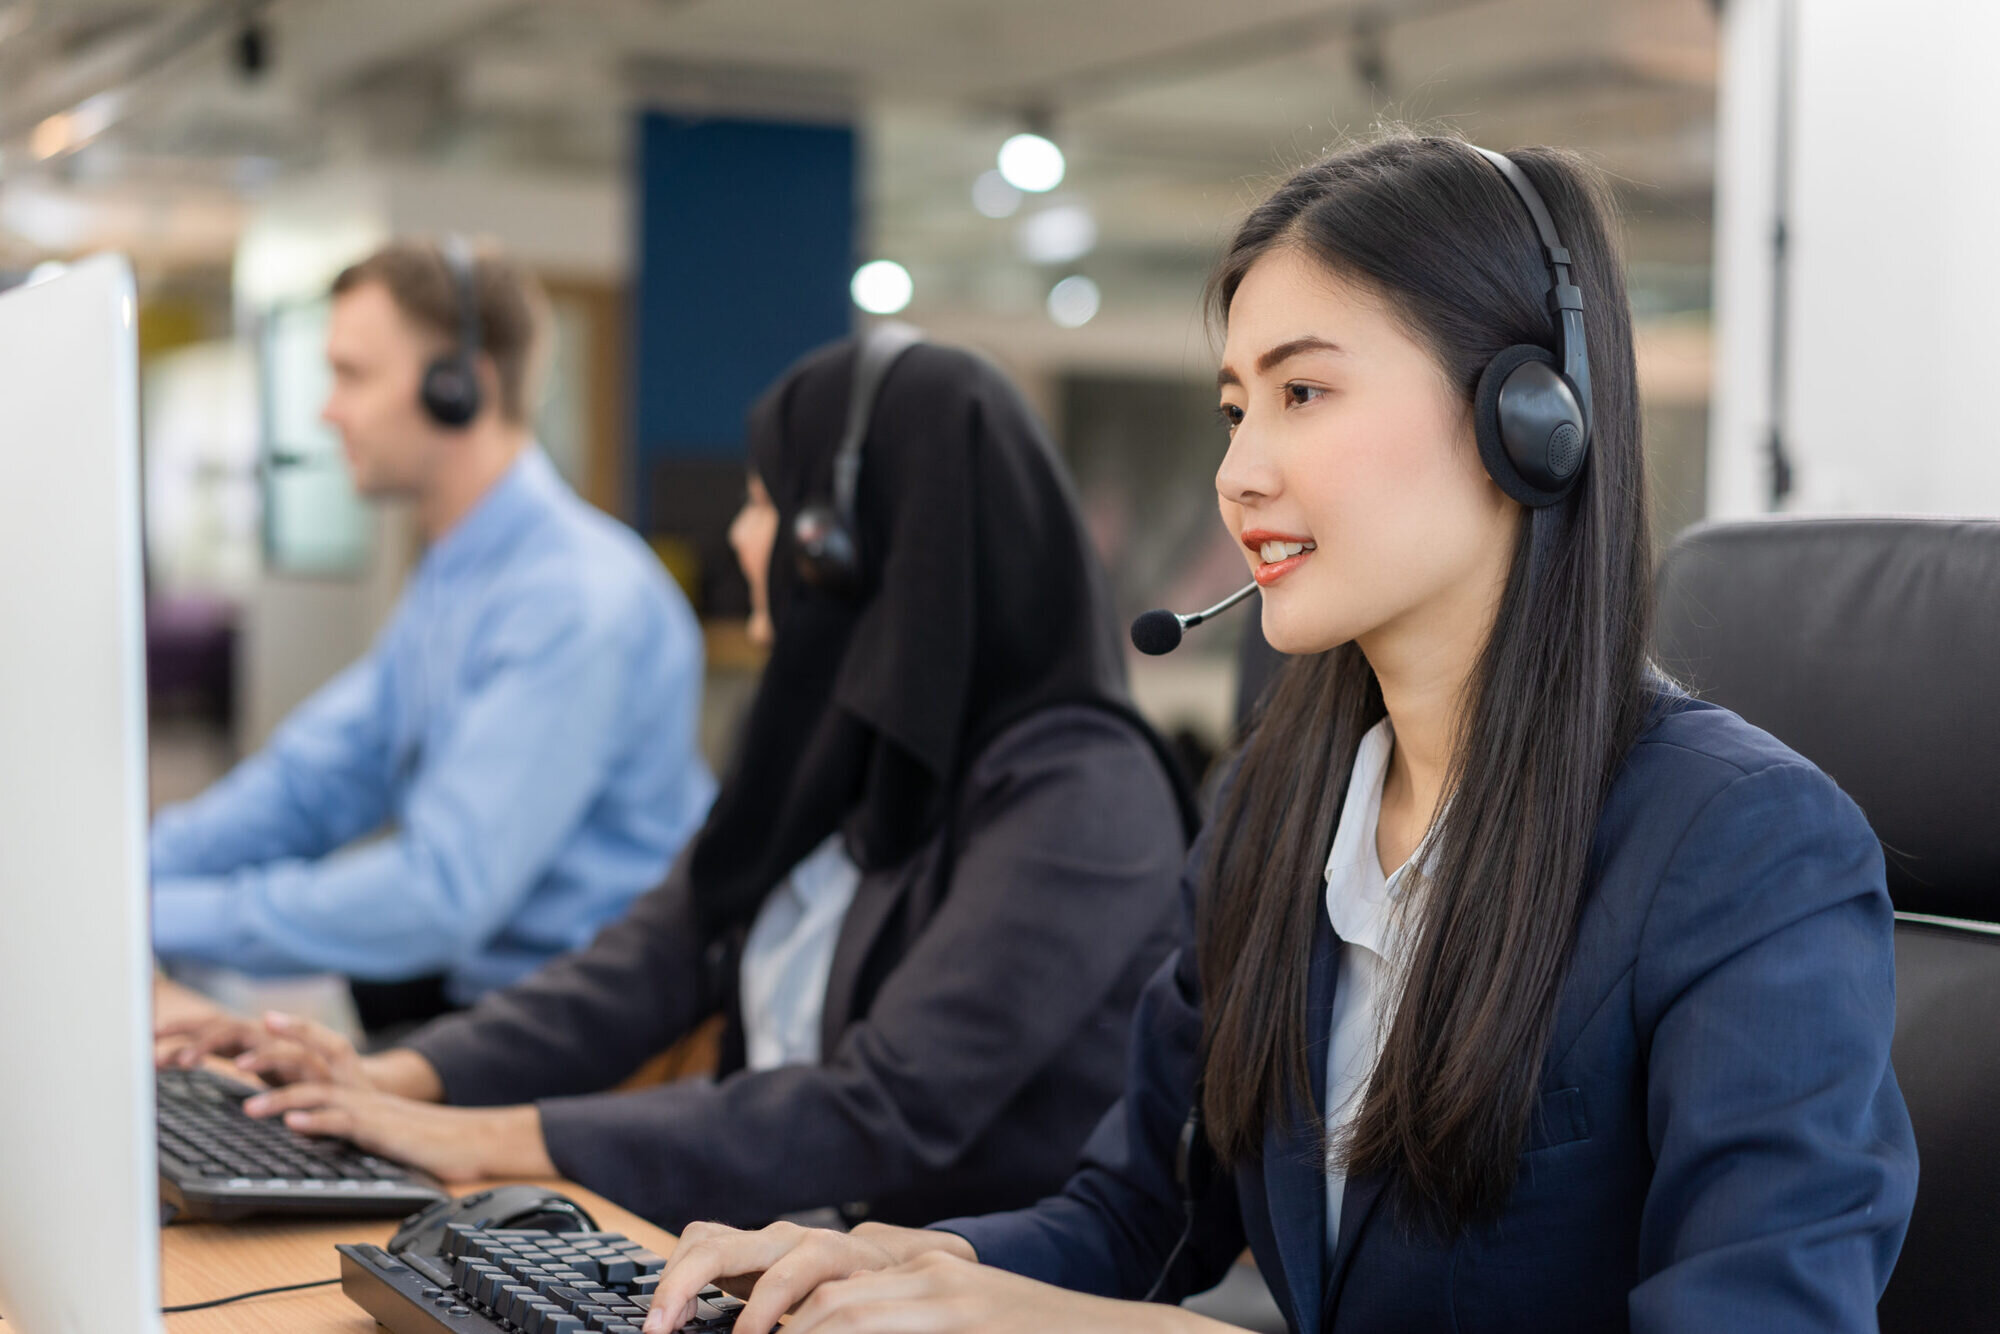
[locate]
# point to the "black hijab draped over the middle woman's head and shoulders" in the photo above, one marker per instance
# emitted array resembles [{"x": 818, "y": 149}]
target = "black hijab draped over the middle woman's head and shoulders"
[{"x": 981, "y": 601}]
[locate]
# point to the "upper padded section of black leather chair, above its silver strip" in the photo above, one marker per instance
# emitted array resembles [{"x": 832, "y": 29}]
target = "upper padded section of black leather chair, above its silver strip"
[{"x": 1873, "y": 649}]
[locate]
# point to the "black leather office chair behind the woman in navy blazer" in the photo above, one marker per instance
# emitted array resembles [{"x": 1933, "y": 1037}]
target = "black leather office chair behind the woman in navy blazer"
[{"x": 1873, "y": 649}]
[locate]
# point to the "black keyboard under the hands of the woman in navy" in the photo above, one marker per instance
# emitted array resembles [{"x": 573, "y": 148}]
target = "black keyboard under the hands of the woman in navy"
[{"x": 513, "y": 1281}]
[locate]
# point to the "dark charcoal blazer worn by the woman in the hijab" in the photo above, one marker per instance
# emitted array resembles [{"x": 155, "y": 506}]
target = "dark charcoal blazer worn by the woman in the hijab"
[{"x": 977, "y": 1013}]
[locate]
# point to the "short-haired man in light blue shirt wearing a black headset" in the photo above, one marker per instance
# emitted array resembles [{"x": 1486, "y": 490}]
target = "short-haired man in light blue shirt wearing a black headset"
[{"x": 525, "y": 727}]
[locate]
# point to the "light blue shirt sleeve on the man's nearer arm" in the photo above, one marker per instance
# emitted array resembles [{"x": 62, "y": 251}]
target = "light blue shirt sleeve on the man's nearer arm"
[{"x": 489, "y": 807}]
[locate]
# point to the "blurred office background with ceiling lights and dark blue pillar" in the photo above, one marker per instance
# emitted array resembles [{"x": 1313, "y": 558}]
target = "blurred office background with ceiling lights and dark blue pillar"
[{"x": 711, "y": 187}]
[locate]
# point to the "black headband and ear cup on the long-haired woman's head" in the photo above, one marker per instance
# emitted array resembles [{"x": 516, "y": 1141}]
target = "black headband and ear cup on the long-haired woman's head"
[{"x": 1533, "y": 409}]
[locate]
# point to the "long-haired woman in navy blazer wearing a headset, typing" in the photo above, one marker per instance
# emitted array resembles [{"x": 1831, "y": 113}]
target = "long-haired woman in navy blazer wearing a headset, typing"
[{"x": 1521, "y": 991}]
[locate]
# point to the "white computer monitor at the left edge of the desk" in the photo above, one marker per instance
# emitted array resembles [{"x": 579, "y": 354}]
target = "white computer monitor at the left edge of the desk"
[{"x": 79, "y": 1187}]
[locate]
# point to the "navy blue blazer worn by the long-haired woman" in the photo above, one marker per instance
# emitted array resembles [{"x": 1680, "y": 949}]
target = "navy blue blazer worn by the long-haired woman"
[{"x": 1721, "y": 1143}]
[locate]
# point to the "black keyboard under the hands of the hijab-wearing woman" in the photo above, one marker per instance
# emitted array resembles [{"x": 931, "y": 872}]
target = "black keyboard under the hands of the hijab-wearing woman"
[{"x": 219, "y": 1163}]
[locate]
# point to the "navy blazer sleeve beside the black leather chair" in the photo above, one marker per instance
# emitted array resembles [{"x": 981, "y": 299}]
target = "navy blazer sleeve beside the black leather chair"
[{"x": 1785, "y": 1163}]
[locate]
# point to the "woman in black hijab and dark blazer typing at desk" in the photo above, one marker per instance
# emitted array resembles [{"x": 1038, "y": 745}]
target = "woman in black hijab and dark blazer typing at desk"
[{"x": 943, "y": 807}]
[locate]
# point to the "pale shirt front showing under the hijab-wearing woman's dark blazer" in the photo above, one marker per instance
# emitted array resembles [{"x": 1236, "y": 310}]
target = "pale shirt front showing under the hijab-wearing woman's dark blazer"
[{"x": 789, "y": 957}]
